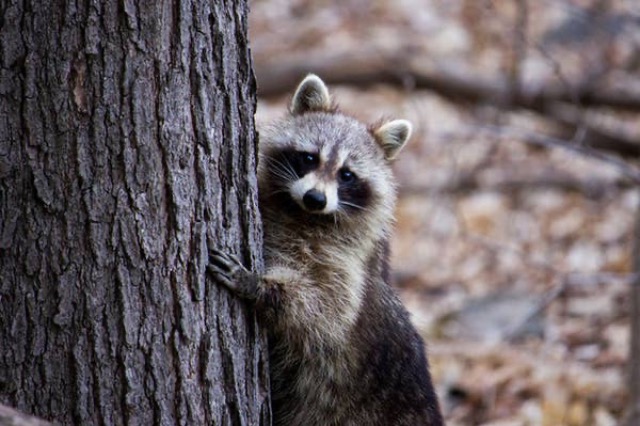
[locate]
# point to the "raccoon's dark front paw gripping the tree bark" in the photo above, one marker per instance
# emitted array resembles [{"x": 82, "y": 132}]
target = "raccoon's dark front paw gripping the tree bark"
[{"x": 227, "y": 270}]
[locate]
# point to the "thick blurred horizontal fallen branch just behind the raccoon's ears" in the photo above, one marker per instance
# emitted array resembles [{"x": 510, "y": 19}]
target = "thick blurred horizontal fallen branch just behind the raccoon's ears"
[{"x": 369, "y": 66}]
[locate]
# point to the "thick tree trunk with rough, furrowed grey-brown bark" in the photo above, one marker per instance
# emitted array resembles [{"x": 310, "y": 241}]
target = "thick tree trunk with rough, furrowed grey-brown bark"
[{"x": 127, "y": 147}]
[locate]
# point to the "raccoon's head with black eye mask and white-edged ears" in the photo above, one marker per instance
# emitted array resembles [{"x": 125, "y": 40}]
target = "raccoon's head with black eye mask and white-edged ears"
[{"x": 323, "y": 163}]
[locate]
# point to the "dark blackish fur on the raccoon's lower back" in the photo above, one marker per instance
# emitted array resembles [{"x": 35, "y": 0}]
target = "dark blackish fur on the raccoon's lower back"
[{"x": 394, "y": 380}]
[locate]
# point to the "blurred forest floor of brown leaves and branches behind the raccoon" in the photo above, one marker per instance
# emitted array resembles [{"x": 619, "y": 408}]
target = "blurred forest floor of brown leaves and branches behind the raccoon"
[{"x": 518, "y": 192}]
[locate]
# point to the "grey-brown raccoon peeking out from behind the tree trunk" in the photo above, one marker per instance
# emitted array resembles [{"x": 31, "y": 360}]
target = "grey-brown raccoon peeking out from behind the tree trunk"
[{"x": 342, "y": 348}]
